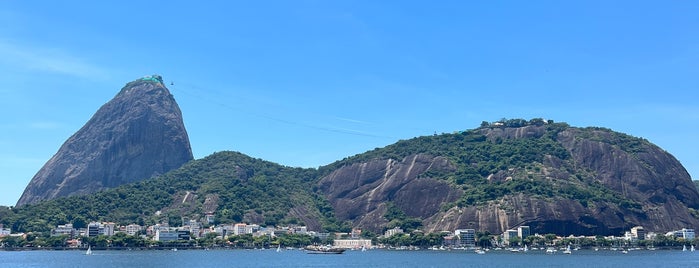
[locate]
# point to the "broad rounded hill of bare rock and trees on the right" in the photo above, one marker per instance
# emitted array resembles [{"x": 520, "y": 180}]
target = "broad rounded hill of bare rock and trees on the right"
[{"x": 578, "y": 181}]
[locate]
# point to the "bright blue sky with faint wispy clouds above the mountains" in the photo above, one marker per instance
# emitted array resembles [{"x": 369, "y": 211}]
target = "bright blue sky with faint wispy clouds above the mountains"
[{"x": 305, "y": 83}]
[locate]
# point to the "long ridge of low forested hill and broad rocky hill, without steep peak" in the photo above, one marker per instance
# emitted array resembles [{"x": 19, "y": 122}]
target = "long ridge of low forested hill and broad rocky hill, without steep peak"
[{"x": 550, "y": 176}]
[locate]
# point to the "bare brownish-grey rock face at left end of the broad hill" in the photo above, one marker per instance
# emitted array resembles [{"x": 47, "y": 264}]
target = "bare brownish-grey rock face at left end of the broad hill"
[{"x": 360, "y": 192}]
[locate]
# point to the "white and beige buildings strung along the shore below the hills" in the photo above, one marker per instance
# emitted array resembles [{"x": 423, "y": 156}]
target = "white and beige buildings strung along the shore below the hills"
[{"x": 193, "y": 229}]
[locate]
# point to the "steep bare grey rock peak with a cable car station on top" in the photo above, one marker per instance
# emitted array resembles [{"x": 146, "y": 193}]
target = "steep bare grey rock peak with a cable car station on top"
[{"x": 137, "y": 135}]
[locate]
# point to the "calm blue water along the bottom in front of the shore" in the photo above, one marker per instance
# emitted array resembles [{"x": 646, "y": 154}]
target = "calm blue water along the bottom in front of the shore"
[{"x": 371, "y": 258}]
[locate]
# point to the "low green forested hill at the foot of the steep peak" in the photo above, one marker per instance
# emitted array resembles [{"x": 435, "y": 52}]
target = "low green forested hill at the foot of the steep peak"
[{"x": 233, "y": 186}]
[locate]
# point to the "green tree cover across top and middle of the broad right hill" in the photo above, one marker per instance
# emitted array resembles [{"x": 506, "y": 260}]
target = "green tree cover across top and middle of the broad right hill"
[{"x": 477, "y": 157}]
